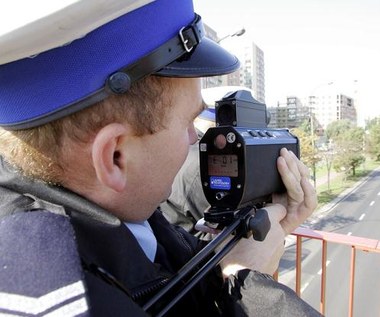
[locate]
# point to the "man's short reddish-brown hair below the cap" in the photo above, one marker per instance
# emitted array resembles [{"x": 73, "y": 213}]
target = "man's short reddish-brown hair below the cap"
[{"x": 39, "y": 151}]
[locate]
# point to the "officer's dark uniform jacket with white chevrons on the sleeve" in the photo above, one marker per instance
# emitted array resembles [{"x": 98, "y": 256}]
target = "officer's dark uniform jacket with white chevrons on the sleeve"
[{"x": 64, "y": 255}]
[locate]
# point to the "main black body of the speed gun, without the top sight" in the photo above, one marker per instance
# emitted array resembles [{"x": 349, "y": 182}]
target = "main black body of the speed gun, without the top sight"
[{"x": 239, "y": 165}]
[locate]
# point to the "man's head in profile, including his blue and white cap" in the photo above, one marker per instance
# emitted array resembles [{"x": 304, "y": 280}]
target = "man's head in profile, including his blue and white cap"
[{"x": 111, "y": 102}]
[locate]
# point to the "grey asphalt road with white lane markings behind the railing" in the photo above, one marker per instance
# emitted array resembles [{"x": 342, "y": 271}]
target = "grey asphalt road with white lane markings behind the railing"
[{"x": 357, "y": 214}]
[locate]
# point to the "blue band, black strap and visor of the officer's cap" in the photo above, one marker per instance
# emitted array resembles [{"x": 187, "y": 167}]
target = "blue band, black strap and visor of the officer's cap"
[{"x": 163, "y": 37}]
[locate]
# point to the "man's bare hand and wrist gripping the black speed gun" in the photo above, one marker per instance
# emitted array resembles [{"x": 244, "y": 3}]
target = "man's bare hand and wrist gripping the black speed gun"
[{"x": 287, "y": 212}]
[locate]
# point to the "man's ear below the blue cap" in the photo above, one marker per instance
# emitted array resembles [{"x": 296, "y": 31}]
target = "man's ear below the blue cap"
[{"x": 107, "y": 156}]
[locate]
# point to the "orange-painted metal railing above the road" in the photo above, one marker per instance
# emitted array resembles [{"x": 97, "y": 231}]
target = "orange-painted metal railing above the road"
[{"x": 356, "y": 243}]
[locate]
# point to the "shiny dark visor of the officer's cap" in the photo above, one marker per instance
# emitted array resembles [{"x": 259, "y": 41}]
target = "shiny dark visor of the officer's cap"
[{"x": 207, "y": 59}]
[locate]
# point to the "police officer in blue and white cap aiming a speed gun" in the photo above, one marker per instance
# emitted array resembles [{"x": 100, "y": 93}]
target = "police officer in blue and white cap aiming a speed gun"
[{"x": 97, "y": 103}]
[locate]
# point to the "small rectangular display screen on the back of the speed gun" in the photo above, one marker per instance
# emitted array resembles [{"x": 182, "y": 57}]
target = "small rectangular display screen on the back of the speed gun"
[{"x": 223, "y": 165}]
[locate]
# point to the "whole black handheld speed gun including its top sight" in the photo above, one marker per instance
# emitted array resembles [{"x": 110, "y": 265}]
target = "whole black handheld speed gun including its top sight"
[{"x": 238, "y": 158}]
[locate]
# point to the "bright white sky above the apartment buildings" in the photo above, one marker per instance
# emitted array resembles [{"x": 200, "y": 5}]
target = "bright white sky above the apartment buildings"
[{"x": 309, "y": 45}]
